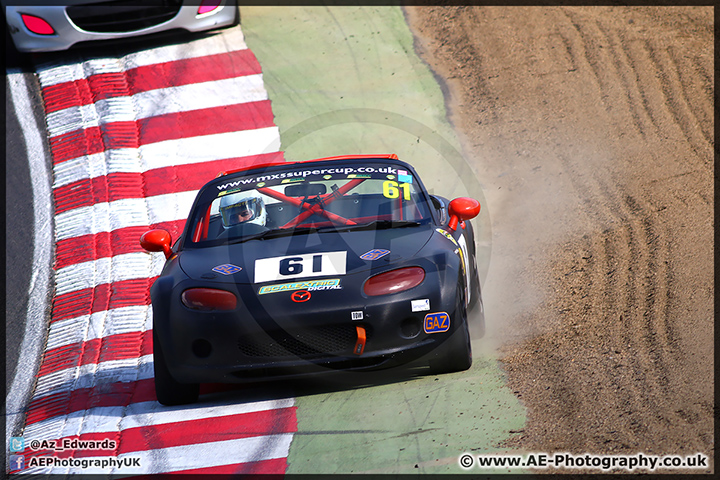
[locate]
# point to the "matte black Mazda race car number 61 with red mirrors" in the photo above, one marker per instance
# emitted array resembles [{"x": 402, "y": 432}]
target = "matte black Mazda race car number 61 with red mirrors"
[{"x": 343, "y": 263}]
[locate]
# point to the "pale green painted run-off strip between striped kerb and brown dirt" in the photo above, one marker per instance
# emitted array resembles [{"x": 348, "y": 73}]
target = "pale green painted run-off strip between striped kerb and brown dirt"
[{"x": 337, "y": 78}]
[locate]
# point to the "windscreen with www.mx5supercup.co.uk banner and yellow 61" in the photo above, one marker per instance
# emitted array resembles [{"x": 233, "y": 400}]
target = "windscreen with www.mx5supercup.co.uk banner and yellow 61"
[{"x": 324, "y": 197}]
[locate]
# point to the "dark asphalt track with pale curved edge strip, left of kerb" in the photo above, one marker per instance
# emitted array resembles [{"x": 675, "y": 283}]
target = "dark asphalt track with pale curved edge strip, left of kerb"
[{"x": 28, "y": 241}]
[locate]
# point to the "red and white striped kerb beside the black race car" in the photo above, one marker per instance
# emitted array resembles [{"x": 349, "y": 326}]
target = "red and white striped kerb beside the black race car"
[{"x": 132, "y": 140}]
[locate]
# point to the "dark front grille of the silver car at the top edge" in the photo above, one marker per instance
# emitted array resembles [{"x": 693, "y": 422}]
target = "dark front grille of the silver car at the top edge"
[{"x": 123, "y": 15}]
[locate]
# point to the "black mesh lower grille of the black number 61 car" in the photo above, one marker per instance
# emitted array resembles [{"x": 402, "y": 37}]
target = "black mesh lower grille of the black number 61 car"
[{"x": 330, "y": 339}]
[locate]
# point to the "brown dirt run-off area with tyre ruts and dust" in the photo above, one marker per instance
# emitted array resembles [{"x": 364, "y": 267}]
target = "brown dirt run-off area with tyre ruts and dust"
[{"x": 591, "y": 130}]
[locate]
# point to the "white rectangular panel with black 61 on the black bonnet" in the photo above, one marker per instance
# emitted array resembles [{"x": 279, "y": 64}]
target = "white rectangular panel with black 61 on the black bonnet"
[{"x": 291, "y": 267}]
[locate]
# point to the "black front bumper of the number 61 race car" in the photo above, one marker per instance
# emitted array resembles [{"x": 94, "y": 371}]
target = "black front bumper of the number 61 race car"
[{"x": 271, "y": 336}]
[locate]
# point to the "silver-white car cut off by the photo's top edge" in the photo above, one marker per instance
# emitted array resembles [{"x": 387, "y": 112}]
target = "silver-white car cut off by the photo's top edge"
[{"x": 35, "y": 28}]
